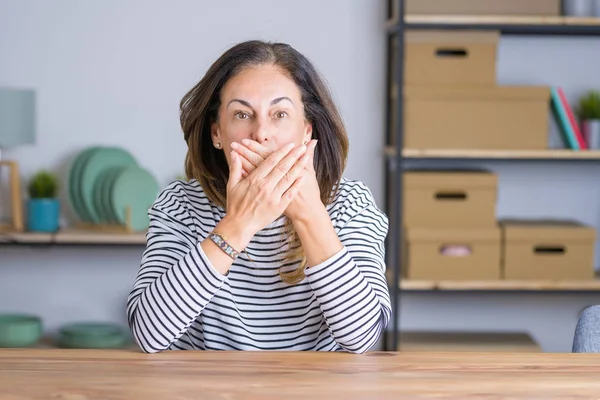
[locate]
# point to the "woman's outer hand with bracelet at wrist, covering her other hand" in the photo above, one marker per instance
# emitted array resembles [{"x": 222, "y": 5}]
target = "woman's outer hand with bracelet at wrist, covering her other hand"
[{"x": 260, "y": 198}]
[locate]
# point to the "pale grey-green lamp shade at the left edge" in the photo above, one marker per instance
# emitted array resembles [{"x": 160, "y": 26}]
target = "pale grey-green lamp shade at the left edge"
[{"x": 17, "y": 117}]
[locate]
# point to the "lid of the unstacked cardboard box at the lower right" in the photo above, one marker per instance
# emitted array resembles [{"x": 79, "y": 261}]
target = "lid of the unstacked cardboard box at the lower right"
[{"x": 535, "y": 230}]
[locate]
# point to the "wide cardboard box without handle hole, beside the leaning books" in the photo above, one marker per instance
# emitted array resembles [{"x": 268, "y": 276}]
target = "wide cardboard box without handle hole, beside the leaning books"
[{"x": 468, "y": 117}]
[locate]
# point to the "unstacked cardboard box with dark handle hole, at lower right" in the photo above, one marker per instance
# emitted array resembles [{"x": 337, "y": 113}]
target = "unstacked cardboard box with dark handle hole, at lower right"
[{"x": 547, "y": 250}]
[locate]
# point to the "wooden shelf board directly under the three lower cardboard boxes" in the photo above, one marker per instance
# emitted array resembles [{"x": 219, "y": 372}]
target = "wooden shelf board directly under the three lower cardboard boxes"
[{"x": 502, "y": 285}]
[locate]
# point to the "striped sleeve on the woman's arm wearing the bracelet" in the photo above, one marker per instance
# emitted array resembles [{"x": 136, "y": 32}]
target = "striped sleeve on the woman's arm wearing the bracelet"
[{"x": 175, "y": 281}]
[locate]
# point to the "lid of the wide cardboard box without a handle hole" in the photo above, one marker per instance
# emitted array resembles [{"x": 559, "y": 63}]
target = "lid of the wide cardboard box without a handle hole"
[{"x": 478, "y": 92}]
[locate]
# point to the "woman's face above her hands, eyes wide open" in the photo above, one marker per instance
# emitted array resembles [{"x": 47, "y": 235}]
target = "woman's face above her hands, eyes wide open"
[{"x": 260, "y": 103}]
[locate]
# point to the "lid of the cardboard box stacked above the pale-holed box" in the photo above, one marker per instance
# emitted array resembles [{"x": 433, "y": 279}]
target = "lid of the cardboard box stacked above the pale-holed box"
[{"x": 450, "y": 179}]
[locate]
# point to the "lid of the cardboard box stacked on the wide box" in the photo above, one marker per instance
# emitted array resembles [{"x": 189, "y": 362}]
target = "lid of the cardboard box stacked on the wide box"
[{"x": 456, "y": 37}]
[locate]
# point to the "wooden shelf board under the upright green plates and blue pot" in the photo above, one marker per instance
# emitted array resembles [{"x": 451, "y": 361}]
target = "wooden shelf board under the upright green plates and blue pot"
[{"x": 74, "y": 237}]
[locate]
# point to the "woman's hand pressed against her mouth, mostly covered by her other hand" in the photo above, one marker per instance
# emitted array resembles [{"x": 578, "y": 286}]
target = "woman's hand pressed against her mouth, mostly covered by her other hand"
[{"x": 308, "y": 198}]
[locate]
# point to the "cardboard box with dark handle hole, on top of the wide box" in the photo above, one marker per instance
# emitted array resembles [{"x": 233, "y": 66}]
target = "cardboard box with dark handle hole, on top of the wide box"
[{"x": 450, "y": 57}]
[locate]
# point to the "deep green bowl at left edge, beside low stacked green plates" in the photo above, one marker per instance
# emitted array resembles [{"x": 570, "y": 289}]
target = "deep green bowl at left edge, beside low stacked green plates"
[{"x": 19, "y": 330}]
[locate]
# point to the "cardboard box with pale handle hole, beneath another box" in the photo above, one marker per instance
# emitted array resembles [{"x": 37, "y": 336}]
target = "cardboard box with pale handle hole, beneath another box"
[{"x": 452, "y": 254}]
